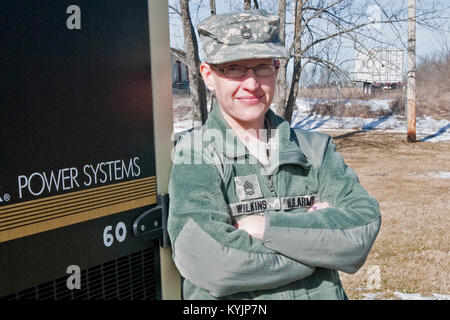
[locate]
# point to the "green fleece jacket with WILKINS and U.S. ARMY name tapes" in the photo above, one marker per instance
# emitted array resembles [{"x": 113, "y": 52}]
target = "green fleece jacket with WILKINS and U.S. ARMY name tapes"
[{"x": 215, "y": 182}]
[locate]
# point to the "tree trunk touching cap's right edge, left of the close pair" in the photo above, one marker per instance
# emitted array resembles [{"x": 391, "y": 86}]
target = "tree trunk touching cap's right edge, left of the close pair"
[{"x": 280, "y": 103}]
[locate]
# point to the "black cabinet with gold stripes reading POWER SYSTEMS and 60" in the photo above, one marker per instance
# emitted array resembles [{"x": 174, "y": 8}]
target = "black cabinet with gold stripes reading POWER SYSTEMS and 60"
[{"x": 86, "y": 123}]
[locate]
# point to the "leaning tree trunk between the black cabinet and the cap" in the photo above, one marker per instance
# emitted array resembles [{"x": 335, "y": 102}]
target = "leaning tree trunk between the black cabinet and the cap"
[{"x": 196, "y": 85}]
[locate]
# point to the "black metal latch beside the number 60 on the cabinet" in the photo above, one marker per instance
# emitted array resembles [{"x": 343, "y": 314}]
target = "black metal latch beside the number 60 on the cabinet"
[{"x": 152, "y": 224}]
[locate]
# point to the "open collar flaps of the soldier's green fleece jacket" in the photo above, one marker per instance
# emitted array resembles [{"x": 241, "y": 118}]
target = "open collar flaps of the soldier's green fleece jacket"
[{"x": 232, "y": 147}]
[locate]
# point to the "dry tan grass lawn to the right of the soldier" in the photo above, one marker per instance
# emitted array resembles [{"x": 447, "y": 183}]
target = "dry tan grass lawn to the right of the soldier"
[{"x": 412, "y": 184}]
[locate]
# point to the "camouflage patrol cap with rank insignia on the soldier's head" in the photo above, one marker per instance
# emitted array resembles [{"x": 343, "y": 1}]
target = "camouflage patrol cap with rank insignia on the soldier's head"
[{"x": 249, "y": 34}]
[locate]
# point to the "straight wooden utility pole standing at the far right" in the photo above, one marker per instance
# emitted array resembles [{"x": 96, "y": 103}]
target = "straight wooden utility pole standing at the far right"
[{"x": 411, "y": 79}]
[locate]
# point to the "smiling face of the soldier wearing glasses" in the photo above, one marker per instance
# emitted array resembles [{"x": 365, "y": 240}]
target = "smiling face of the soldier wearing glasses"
[{"x": 243, "y": 101}]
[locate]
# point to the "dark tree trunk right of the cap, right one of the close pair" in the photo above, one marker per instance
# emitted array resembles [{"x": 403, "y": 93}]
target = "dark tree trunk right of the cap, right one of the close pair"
[{"x": 297, "y": 62}]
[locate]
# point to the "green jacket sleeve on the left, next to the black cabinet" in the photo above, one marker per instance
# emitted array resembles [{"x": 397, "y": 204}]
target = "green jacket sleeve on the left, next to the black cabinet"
[{"x": 209, "y": 251}]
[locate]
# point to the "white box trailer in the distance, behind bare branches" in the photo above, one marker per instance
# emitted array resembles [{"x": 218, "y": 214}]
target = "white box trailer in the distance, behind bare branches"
[{"x": 378, "y": 69}]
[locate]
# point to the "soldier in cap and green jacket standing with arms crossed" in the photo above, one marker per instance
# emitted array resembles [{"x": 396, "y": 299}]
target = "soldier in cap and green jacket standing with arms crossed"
[{"x": 272, "y": 212}]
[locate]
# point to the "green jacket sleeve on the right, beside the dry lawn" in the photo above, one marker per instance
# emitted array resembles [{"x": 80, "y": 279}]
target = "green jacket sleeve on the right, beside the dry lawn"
[{"x": 339, "y": 237}]
